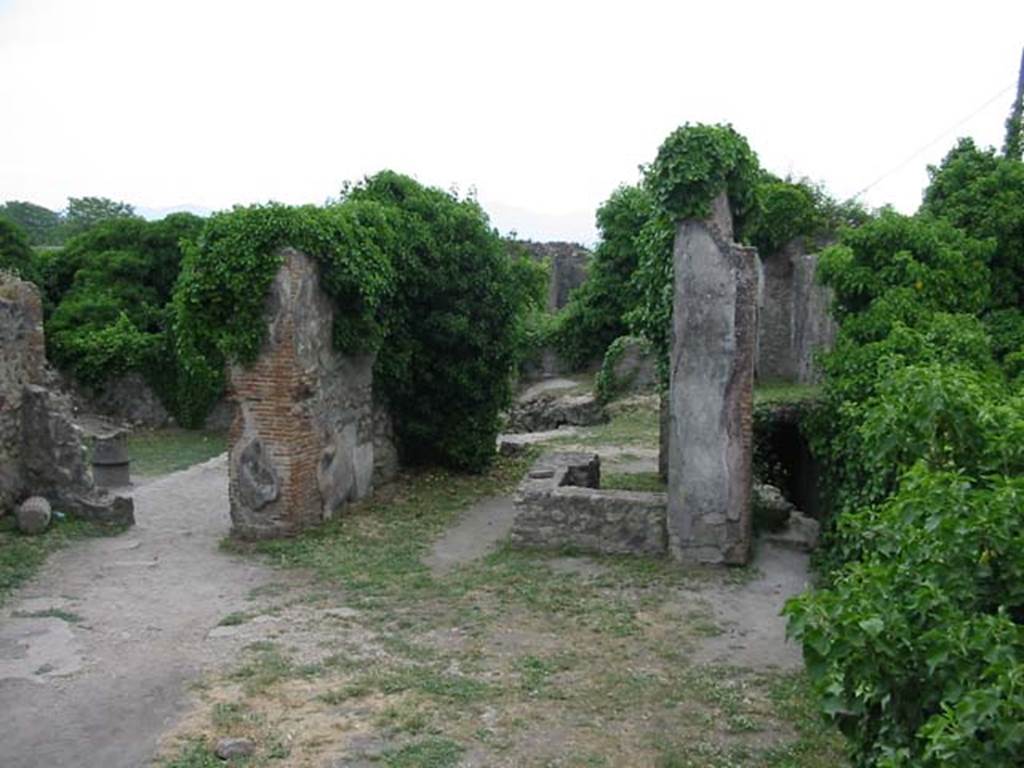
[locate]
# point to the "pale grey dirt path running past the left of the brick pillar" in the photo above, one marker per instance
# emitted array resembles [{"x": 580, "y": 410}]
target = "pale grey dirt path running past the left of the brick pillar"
[{"x": 97, "y": 652}]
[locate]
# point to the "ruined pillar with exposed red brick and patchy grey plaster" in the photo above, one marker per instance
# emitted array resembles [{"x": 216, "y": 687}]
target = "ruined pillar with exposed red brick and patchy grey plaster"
[{"x": 303, "y": 440}]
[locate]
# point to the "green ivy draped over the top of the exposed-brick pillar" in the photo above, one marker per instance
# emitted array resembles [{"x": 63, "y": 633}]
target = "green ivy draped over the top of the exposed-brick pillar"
[{"x": 227, "y": 275}]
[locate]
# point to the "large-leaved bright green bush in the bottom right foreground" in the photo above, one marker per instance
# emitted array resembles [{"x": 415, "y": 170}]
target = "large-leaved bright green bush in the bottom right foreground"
[{"x": 918, "y": 651}]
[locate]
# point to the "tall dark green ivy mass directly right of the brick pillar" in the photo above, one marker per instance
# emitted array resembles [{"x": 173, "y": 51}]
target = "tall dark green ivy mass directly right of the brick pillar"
[{"x": 453, "y": 324}]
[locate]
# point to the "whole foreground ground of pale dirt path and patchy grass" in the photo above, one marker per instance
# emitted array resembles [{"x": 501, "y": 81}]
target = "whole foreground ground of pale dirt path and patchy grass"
[{"x": 405, "y": 635}]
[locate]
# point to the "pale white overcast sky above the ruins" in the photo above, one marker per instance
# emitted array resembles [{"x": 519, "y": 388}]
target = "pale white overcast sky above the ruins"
[{"x": 543, "y": 107}]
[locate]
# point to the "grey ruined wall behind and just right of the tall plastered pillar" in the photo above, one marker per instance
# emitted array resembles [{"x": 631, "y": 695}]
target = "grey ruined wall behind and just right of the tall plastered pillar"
[{"x": 795, "y": 323}]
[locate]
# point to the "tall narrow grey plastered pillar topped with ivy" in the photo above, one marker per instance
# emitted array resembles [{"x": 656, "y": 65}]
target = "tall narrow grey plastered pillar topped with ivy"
[{"x": 711, "y": 397}]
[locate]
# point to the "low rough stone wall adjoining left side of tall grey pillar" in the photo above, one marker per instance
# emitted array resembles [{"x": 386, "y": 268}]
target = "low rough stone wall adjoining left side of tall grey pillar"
[{"x": 560, "y": 505}]
